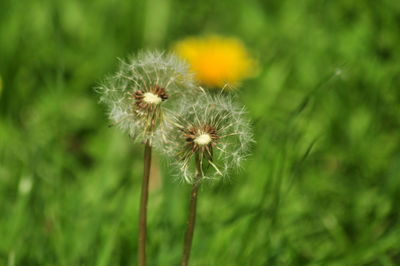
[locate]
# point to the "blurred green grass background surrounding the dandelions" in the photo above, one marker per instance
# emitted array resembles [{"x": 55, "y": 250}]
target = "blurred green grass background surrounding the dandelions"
[{"x": 321, "y": 188}]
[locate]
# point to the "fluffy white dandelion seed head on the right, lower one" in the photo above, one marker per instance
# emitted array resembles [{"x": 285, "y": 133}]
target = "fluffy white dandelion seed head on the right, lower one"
[{"x": 214, "y": 127}]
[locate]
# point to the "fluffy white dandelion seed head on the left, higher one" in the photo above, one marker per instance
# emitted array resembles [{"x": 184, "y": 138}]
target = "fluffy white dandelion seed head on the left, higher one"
[{"x": 143, "y": 89}]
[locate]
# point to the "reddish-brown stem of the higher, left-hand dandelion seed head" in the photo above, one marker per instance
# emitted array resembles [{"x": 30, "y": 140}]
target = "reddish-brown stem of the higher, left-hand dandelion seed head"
[{"x": 143, "y": 206}]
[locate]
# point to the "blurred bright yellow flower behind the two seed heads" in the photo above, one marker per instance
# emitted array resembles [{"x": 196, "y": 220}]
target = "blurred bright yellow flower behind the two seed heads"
[{"x": 216, "y": 61}]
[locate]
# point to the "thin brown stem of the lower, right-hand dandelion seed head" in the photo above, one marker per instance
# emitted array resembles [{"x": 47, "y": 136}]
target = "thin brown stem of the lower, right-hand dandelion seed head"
[{"x": 187, "y": 246}]
